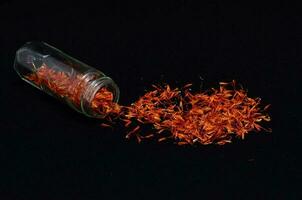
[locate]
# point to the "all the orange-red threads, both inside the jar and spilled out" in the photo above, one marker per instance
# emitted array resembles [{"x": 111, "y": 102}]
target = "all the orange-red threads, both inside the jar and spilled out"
[{"x": 213, "y": 116}]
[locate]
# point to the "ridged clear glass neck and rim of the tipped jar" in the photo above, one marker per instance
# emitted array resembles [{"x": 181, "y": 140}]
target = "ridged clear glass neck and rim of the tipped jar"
[{"x": 92, "y": 88}]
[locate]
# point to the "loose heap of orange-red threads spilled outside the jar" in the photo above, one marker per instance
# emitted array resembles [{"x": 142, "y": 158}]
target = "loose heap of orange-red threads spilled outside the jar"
[{"x": 209, "y": 117}]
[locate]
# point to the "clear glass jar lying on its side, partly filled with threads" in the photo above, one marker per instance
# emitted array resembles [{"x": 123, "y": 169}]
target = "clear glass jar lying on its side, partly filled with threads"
[{"x": 64, "y": 77}]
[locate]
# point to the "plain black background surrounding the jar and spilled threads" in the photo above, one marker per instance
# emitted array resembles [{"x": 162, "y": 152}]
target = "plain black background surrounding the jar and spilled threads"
[{"x": 46, "y": 148}]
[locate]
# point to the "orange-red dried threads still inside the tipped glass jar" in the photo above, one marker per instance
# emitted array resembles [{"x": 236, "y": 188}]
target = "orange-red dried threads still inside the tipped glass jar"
[{"x": 72, "y": 87}]
